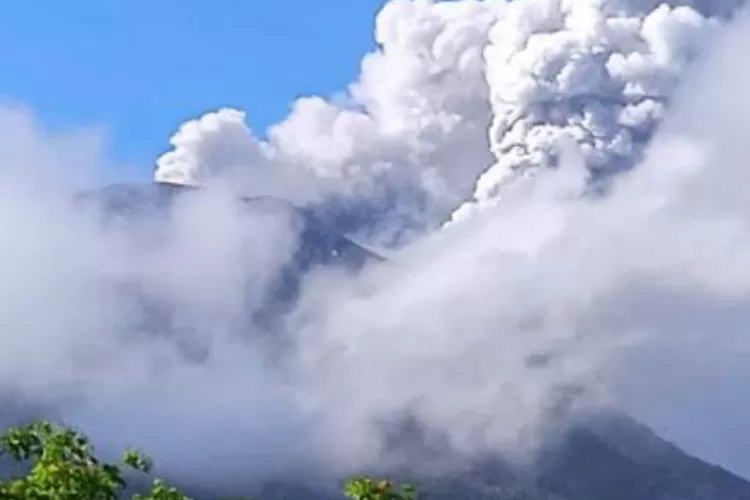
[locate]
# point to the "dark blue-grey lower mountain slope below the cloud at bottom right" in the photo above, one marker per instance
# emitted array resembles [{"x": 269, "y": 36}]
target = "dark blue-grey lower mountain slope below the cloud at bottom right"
[{"x": 608, "y": 457}]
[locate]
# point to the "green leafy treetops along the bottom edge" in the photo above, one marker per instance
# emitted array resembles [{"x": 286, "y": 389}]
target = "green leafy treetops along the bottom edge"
[{"x": 61, "y": 465}]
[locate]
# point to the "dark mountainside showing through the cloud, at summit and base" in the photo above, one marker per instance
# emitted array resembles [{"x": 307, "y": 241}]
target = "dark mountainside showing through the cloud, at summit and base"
[{"x": 608, "y": 456}]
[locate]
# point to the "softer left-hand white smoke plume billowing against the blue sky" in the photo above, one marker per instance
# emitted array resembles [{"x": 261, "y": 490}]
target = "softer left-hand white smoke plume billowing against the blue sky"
[{"x": 411, "y": 139}]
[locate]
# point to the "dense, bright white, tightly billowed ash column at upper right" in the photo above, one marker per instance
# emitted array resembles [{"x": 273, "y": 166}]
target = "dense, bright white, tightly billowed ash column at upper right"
[{"x": 581, "y": 74}]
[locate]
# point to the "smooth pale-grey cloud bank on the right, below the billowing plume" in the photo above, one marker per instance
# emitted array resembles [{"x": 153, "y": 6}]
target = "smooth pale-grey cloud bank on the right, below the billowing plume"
[{"x": 638, "y": 296}]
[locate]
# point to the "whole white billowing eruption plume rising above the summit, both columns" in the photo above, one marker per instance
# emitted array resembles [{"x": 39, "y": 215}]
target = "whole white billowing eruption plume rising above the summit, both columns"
[{"x": 460, "y": 97}]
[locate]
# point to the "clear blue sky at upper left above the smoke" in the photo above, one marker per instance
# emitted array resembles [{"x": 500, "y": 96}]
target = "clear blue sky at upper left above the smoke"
[{"x": 141, "y": 67}]
